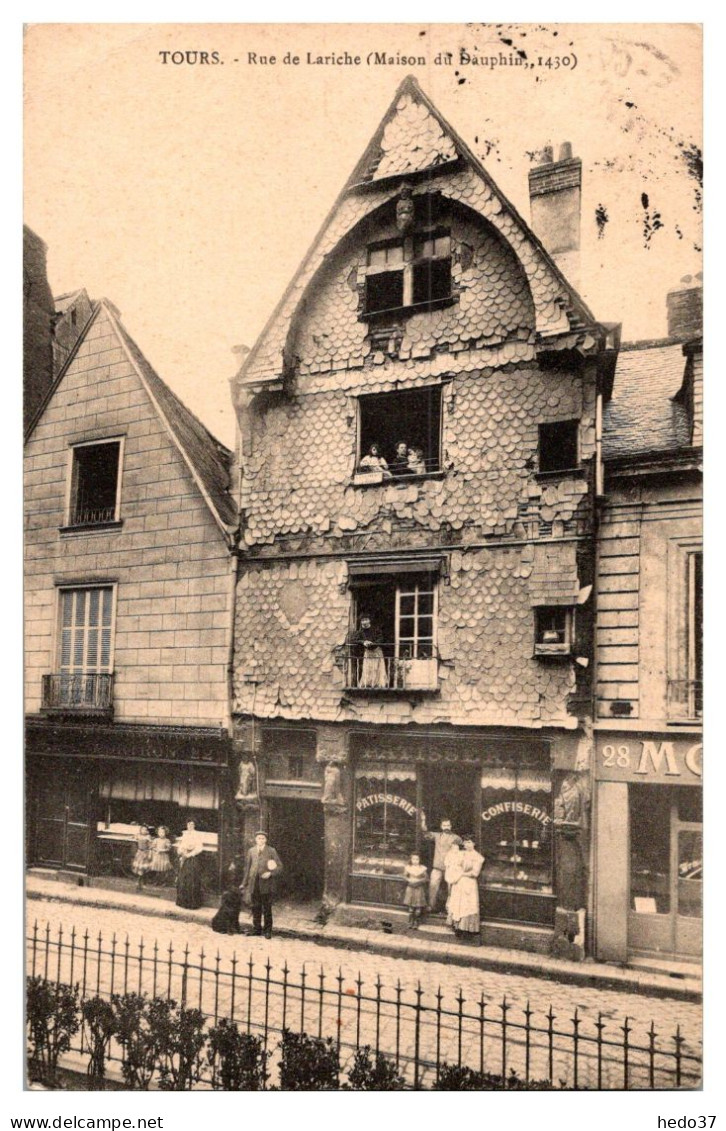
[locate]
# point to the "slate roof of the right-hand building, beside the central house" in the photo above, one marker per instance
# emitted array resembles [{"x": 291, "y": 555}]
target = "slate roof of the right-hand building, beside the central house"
[{"x": 643, "y": 415}]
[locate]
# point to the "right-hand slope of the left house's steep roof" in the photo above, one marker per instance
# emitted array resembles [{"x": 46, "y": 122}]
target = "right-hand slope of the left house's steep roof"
[{"x": 208, "y": 456}]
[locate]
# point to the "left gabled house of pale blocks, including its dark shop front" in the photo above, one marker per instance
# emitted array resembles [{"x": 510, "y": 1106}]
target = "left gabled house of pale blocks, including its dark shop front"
[{"x": 129, "y": 583}]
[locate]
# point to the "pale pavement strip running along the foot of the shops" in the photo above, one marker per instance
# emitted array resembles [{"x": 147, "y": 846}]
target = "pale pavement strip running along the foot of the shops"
[{"x": 298, "y": 923}]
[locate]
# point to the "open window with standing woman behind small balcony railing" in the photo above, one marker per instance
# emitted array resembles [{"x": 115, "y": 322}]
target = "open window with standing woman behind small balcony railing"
[{"x": 394, "y": 645}]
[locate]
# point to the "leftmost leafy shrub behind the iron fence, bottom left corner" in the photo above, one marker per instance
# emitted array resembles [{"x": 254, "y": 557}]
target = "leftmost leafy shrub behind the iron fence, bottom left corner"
[{"x": 54, "y": 1017}]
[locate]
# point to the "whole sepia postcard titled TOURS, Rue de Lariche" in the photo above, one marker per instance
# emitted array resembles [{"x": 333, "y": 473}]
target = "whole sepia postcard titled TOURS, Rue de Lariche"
[{"x": 364, "y": 557}]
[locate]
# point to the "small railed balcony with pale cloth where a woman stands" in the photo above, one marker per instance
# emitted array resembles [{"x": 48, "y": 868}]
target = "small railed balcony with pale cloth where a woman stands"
[{"x": 385, "y": 669}]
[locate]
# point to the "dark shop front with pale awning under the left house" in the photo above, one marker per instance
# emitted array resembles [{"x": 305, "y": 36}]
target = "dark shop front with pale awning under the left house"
[{"x": 91, "y": 793}]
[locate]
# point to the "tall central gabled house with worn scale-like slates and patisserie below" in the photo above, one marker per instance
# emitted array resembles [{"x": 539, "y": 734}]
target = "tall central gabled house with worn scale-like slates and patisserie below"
[{"x": 427, "y": 315}]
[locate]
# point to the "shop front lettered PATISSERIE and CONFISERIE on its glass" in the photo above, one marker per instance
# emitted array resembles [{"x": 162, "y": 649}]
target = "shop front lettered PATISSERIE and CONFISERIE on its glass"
[{"x": 499, "y": 792}]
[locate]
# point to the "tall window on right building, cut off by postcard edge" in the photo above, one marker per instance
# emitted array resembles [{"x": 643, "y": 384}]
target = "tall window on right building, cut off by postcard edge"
[{"x": 686, "y": 635}]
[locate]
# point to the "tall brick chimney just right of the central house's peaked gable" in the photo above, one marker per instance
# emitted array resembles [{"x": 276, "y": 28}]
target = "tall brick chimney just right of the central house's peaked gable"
[{"x": 556, "y": 193}]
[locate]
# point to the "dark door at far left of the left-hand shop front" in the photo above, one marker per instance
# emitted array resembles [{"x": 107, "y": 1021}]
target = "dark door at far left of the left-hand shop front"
[{"x": 63, "y": 827}]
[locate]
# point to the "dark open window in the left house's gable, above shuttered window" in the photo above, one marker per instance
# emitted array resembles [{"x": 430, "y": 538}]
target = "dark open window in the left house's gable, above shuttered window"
[{"x": 96, "y": 484}]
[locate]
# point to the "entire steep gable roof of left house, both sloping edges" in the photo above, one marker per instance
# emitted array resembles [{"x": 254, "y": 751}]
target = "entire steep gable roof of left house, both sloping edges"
[{"x": 209, "y": 461}]
